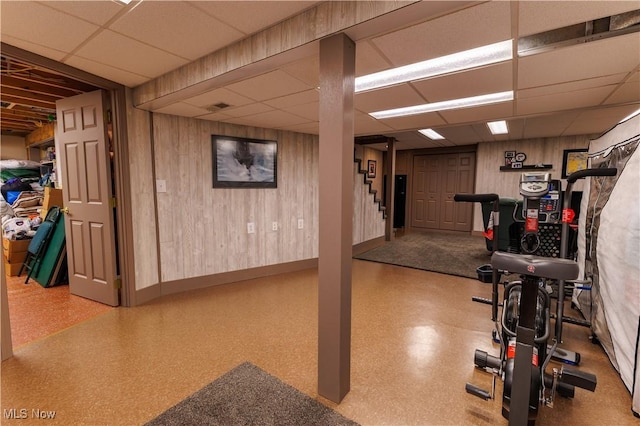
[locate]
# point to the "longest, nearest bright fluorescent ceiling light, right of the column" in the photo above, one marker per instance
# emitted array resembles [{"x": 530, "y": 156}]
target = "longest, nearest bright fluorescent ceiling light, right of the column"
[{"x": 467, "y": 59}]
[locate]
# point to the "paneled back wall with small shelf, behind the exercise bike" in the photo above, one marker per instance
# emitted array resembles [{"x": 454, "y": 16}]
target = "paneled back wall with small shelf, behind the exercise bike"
[{"x": 490, "y": 156}]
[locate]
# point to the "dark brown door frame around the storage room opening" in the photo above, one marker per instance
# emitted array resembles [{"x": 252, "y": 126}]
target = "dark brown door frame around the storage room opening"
[{"x": 121, "y": 173}]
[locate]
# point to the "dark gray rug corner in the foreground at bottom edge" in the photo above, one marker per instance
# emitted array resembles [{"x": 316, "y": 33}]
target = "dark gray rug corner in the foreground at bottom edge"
[{"x": 248, "y": 395}]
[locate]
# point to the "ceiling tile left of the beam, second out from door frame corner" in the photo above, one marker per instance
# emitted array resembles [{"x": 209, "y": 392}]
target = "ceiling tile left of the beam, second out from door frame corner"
[{"x": 125, "y": 53}]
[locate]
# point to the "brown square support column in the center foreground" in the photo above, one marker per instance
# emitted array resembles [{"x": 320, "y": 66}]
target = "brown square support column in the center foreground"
[{"x": 337, "y": 81}]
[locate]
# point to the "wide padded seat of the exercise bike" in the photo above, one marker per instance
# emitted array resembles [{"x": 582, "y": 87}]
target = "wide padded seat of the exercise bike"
[{"x": 537, "y": 266}]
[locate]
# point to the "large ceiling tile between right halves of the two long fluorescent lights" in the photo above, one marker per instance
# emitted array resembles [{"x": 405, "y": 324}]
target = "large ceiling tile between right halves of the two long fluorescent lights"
[{"x": 481, "y": 81}]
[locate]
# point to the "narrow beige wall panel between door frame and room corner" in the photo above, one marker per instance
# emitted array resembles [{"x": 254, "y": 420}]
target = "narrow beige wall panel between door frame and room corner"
[{"x": 142, "y": 200}]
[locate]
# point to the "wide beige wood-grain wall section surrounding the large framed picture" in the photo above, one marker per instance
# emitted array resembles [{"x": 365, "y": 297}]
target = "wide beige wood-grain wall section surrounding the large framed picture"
[{"x": 203, "y": 230}]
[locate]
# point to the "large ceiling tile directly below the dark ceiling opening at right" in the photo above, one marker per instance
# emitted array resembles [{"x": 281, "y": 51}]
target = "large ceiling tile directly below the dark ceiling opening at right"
[{"x": 615, "y": 55}]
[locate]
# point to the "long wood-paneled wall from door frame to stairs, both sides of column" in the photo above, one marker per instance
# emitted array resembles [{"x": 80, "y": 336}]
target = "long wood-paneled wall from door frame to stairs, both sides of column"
[{"x": 202, "y": 230}]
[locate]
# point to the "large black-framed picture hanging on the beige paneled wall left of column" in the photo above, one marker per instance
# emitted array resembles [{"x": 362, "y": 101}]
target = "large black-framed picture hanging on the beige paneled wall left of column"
[{"x": 244, "y": 162}]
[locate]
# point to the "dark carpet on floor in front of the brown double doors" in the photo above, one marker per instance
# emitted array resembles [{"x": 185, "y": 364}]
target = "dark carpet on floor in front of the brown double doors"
[{"x": 448, "y": 253}]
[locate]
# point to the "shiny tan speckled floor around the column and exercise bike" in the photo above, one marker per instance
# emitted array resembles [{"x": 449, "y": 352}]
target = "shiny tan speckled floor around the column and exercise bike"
[{"x": 414, "y": 334}]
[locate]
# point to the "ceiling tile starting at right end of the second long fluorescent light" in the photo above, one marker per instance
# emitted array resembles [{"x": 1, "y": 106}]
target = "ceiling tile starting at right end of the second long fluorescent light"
[{"x": 563, "y": 101}]
